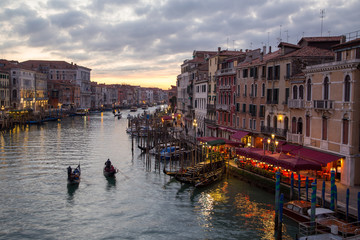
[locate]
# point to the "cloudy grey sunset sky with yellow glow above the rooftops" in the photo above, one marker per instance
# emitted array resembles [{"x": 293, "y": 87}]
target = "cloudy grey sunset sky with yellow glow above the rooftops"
[{"x": 144, "y": 42}]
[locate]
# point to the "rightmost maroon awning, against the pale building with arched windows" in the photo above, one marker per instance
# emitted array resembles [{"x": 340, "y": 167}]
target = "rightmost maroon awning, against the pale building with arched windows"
[{"x": 315, "y": 155}]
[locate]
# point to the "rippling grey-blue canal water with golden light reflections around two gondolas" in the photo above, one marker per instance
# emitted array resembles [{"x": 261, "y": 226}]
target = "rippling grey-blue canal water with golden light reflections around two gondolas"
[{"x": 142, "y": 203}]
